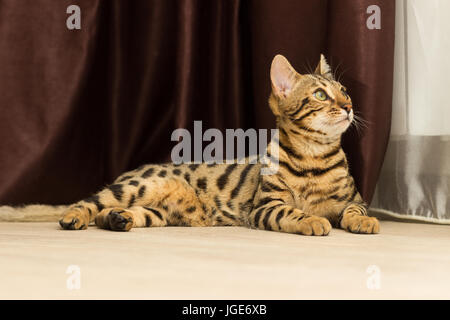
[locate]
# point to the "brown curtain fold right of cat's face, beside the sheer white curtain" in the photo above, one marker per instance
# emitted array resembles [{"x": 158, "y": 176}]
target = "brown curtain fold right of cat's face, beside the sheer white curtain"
[{"x": 366, "y": 61}]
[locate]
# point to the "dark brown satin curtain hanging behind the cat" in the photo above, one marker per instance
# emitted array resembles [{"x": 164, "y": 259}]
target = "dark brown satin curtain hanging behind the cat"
[{"x": 78, "y": 107}]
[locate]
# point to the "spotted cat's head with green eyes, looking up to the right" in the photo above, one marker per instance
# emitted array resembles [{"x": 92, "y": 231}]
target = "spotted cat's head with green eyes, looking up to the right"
[{"x": 315, "y": 103}]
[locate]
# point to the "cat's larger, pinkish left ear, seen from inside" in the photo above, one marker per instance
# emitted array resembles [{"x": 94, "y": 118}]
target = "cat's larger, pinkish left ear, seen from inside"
[{"x": 283, "y": 76}]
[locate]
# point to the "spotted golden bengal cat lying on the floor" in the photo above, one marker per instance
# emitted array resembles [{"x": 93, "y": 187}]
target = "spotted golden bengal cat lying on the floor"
[{"x": 311, "y": 191}]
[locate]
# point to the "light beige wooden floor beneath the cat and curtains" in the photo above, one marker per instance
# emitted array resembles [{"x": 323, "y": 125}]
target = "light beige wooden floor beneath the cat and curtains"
[{"x": 224, "y": 263}]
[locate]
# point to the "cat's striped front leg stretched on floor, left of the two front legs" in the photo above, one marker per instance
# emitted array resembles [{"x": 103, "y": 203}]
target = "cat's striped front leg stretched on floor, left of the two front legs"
[{"x": 277, "y": 216}]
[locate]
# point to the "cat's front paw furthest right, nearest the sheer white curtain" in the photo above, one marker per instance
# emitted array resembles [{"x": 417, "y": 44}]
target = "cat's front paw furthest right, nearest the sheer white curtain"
[{"x": 354, "y": 219}]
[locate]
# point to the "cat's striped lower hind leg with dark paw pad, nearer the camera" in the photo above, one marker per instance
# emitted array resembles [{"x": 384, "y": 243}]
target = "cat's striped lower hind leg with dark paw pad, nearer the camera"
[{"x": 123, "y": 219}]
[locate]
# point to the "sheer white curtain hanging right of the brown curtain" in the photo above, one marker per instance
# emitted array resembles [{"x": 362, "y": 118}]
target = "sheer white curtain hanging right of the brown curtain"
[{"x": 415, "y": 178}]
